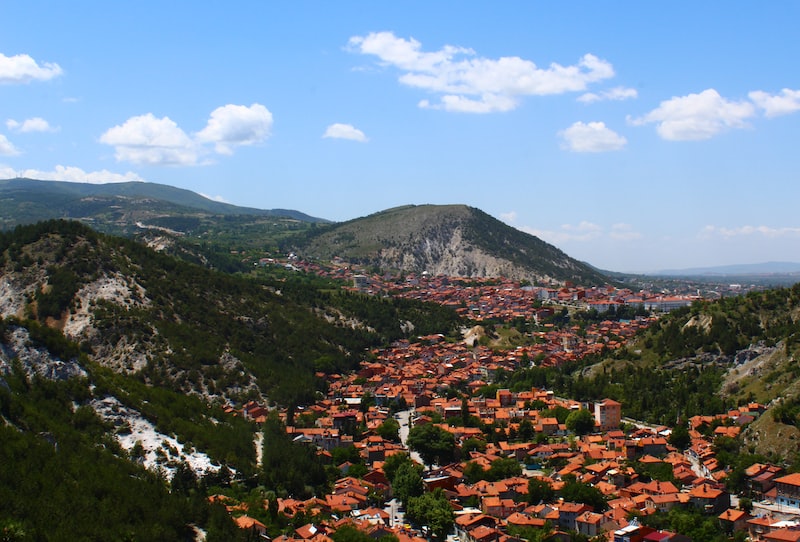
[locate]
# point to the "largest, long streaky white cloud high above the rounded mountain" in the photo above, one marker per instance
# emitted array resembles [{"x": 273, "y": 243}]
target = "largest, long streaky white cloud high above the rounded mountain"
[{"x": 472, "y": 84}]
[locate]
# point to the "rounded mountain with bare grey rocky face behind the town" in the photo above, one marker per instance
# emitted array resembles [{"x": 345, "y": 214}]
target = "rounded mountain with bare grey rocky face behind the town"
[{"x": 453, "y": 240}]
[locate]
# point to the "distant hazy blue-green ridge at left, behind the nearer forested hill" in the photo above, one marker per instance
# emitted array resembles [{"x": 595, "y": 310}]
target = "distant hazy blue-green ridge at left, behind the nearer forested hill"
[{"x": 179, "y": 221}]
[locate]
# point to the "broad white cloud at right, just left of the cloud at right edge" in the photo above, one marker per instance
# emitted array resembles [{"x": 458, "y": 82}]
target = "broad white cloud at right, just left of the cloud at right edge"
[{"x": 696, "y": 116}]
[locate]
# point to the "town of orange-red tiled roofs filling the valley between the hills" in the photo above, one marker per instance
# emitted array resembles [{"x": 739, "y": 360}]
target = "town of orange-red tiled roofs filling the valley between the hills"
[{"x": 515, "y": 464}]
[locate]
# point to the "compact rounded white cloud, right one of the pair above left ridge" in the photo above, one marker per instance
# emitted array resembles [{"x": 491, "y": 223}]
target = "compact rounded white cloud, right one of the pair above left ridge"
[{"x": 236, "y": 125}]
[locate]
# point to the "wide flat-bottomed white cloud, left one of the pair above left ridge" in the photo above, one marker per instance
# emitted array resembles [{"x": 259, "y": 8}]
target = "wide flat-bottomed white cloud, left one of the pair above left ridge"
[{"x": 148, "y": 140}]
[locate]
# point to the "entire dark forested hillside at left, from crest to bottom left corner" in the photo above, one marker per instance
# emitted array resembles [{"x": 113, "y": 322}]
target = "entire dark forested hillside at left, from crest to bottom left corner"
[{"x": 116, "y": 362}]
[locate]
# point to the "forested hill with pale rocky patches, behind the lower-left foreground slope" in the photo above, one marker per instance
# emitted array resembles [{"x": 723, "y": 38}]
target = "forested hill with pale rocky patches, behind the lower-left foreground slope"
[{"x": 169, "y": 322}]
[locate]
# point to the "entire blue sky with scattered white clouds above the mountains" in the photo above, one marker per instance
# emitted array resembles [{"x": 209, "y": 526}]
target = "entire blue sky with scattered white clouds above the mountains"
[{"x": 635, "y": 136}]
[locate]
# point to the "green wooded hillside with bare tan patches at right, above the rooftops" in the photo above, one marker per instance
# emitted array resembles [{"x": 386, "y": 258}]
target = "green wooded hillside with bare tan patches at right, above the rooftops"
[{"x": 701, "y": 360}]
